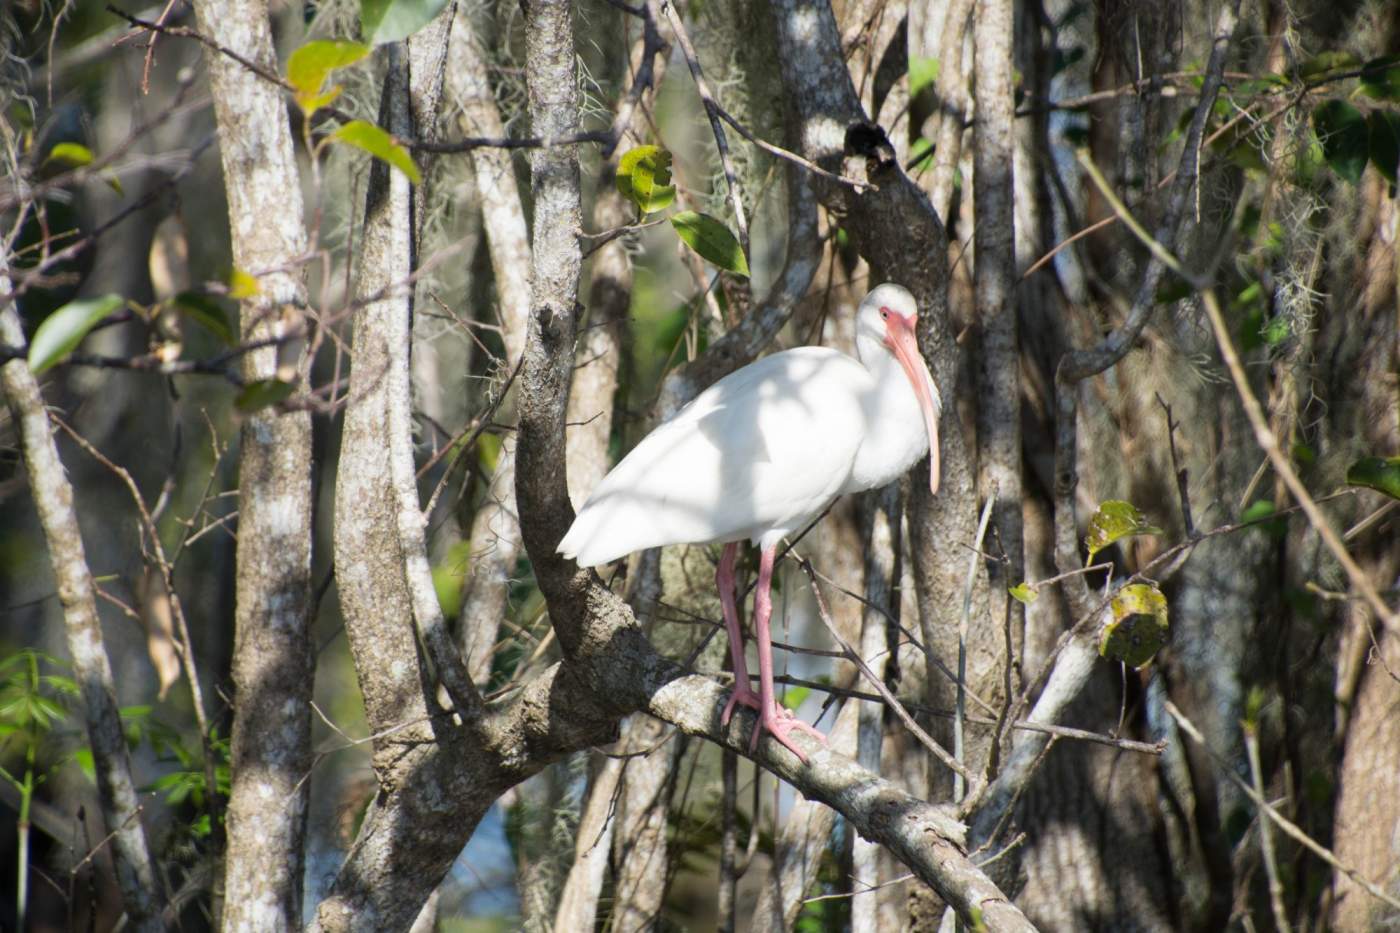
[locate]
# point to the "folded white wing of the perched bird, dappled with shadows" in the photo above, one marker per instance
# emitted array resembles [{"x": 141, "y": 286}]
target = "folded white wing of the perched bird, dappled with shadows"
[{"x": 761, "y": 450}]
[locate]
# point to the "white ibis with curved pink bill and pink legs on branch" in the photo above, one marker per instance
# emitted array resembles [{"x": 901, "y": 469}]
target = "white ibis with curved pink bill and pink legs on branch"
[{"x": 759, "y": 456}]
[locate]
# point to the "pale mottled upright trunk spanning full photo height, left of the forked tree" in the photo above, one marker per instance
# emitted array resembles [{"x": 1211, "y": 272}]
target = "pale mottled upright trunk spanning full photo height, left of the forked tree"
[{"x": 274, "y": 666}]
